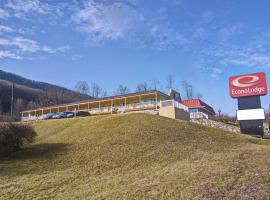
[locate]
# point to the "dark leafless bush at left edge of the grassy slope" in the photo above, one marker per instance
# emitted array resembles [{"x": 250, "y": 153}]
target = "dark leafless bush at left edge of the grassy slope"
[{"x": 14, "y": 136}]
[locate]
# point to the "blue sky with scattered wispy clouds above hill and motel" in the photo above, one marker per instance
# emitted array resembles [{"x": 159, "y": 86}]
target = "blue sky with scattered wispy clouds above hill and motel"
[{"x": 112, "y": 42}]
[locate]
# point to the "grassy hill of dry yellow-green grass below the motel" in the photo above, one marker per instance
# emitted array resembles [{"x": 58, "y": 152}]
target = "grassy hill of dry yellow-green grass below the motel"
[{"x": 136, "y": 156}]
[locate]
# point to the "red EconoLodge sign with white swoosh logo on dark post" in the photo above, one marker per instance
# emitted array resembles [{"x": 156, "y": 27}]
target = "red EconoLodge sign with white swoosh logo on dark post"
[{"x": 248, "y": 85}]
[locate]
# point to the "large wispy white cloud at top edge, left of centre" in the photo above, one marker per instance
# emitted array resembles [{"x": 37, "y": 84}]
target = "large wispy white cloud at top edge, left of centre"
[{"x": 106, "y": 21}]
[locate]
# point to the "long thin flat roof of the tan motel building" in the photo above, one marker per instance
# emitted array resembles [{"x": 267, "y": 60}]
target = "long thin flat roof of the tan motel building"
[{"x": 102, "y": 99}]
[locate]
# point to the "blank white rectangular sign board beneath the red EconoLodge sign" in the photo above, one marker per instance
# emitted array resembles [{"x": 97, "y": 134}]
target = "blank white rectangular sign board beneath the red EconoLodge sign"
[{"x": 250, "y": 114}]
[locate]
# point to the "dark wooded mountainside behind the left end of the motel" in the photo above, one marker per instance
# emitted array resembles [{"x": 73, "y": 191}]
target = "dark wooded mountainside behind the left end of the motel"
[{"x": 33, "y": 93}]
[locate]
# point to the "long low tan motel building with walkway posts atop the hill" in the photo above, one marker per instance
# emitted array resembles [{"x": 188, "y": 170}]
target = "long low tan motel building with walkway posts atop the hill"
[{"x": 153, "y": 102}]
